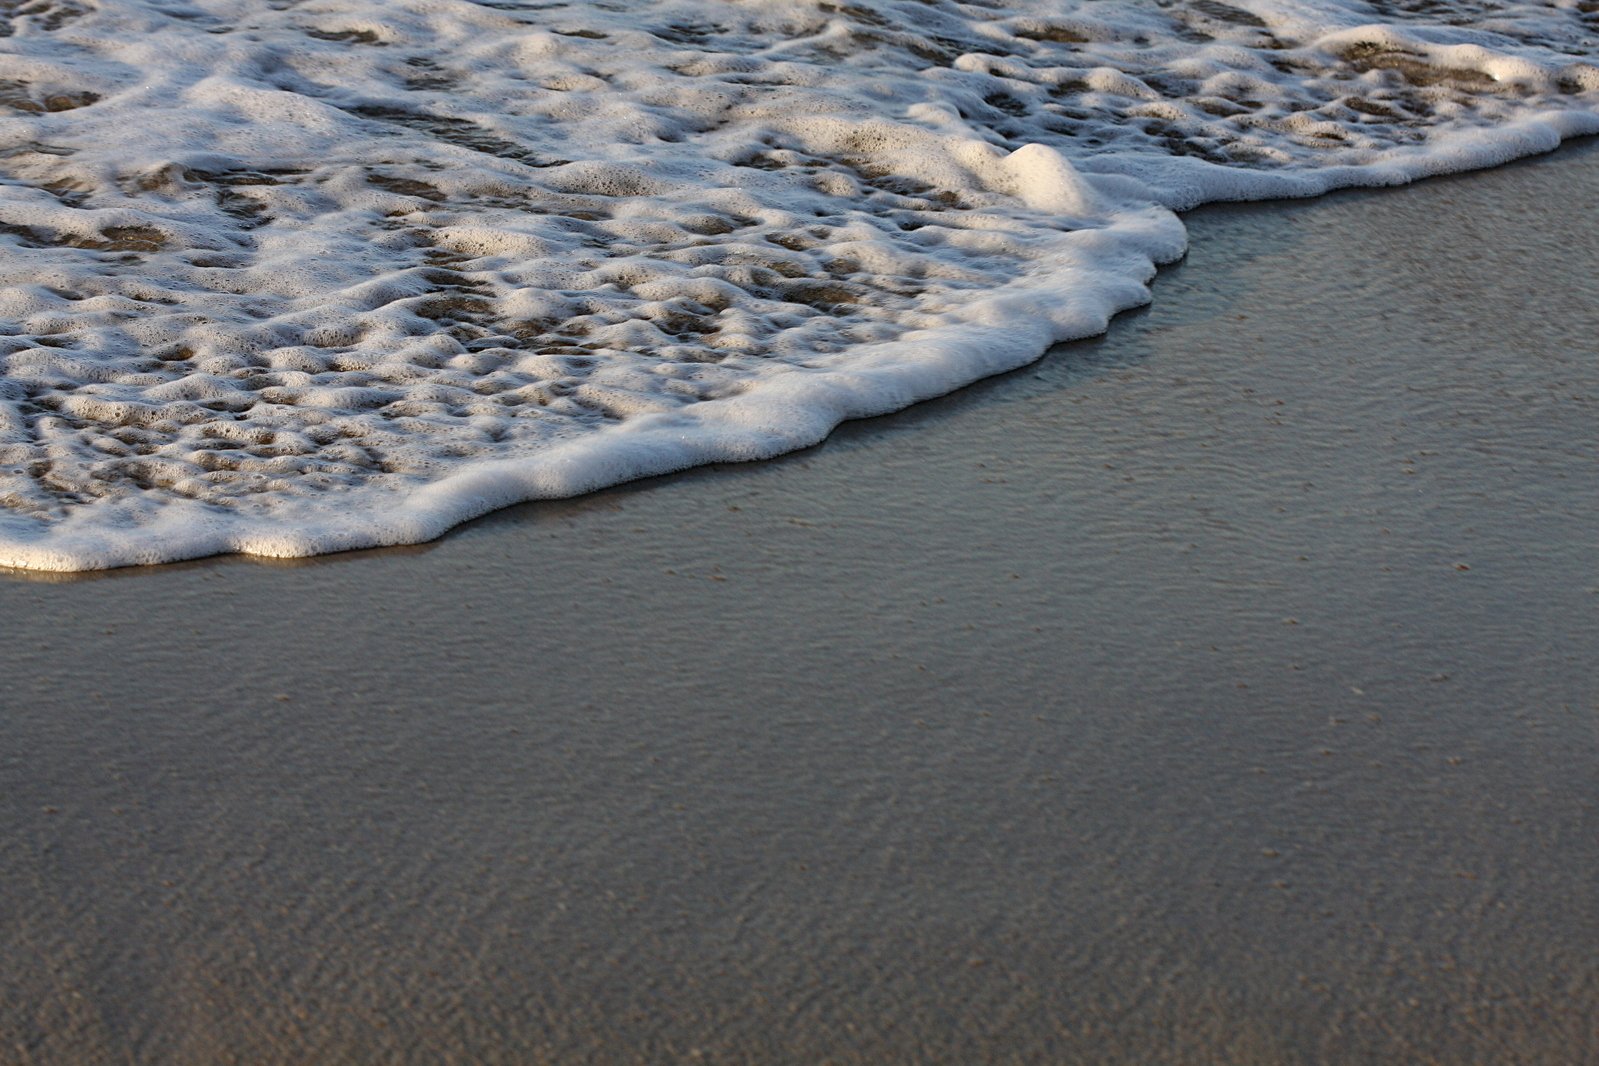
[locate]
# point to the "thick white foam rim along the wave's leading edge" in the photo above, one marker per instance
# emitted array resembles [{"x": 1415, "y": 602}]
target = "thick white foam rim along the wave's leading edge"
[{"x": 760, "y": 424}]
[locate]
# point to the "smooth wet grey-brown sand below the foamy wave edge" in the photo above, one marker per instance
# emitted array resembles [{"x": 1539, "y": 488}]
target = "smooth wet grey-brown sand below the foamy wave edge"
[{"x": 1221, "y": 691}]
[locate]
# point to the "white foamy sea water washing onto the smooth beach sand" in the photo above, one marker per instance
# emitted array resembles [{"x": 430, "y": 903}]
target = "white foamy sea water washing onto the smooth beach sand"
[{"x": 290, "y": 277}]
